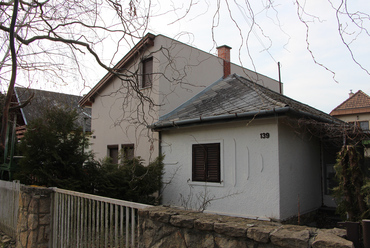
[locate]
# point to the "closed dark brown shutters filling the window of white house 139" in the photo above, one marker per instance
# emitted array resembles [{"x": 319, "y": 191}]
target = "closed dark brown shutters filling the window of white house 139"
[{"x": 206, "y": 162}]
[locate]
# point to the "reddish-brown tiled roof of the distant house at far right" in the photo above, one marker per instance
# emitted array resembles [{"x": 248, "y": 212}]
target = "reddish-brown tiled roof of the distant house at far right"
[{"x": 356, "y": 104}]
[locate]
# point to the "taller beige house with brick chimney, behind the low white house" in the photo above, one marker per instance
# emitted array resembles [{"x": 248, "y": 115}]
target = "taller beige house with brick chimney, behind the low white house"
[{"x": 153, "y": 78}]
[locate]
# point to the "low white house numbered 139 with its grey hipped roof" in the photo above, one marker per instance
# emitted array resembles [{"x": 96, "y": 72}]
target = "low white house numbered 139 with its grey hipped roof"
[{"x": 244, "y": 149}]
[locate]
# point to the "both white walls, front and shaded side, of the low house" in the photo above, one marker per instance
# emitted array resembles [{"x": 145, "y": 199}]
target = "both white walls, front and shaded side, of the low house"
[{"x": 268, "y": 174}]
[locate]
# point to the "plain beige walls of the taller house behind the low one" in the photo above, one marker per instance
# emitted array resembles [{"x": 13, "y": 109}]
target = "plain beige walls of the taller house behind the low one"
[{"x": 180, "y": 72}]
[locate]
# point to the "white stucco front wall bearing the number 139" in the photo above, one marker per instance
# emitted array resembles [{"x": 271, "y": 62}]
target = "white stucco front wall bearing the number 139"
[{"x": 249, "y": 168}]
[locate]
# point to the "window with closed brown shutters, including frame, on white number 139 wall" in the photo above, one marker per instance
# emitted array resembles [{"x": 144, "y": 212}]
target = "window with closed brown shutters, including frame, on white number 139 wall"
[{"x": 214, "y": 147}]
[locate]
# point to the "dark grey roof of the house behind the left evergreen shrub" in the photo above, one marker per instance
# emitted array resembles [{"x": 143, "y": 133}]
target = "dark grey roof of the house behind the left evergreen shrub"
[{"x": 45, "y": 99}]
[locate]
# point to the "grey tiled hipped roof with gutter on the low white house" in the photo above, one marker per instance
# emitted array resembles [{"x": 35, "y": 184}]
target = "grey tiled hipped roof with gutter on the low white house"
[{"x": 236, "y": 97}]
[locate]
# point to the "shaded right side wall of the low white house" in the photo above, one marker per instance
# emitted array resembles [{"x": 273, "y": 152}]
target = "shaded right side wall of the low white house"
[{"x": 300, "y": 172}]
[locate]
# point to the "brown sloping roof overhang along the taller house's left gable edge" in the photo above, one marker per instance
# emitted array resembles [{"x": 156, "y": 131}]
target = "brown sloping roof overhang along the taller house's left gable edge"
[{"x": 147, "y": 41}]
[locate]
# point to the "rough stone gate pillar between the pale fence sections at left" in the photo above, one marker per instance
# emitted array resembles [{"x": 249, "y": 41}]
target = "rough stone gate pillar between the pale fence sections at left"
[{"x": 34, "y": 219}]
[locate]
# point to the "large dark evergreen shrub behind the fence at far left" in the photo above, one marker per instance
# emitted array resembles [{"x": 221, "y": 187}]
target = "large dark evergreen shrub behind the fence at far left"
[{"x": 53, "y": 150}]
